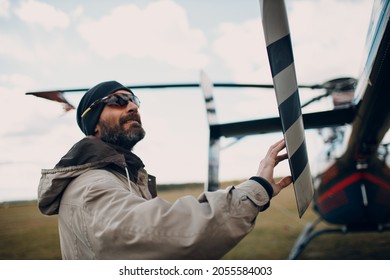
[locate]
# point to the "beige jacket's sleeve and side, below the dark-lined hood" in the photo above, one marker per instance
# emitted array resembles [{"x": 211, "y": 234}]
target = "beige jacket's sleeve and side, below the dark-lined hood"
[{"x": 122, "y": 225}]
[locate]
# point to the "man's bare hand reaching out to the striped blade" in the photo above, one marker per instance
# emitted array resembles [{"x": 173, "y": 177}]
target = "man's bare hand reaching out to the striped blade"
[{"x": 267, "y": 165}]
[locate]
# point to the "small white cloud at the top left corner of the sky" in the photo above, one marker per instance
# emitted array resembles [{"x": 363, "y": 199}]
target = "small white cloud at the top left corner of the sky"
[{"x": 43, "y": 14}]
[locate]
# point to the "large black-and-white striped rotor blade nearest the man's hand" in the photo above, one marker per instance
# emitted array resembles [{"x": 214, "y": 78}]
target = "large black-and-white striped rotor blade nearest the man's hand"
[{"x": 280, "y": 55}]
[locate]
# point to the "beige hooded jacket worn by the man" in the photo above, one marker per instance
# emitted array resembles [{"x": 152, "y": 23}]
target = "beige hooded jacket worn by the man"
[{"x": 103, "y": 215}]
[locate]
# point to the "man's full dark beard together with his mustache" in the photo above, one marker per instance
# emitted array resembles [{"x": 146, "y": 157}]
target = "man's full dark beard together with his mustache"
[{"x": 119, "y": 135}]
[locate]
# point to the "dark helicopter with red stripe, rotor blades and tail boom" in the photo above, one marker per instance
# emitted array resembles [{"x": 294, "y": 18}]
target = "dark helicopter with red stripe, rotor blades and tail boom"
[{"x": 352, "y": 189}]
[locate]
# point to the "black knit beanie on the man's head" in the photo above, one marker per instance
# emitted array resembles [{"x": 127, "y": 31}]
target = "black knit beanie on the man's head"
[{"x": 88, "y": 123}]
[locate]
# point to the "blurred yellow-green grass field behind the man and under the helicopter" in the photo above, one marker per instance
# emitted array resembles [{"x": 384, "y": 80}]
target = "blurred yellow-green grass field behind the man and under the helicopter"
[{"x": 26, "y": 234}]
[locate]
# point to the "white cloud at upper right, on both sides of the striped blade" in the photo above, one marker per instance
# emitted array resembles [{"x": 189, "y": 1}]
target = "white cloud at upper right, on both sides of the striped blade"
[{"x": 332, "y": 46}]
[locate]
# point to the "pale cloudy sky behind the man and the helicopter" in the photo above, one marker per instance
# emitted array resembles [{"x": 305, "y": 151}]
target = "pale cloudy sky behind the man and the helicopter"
[{"x": 48, "y": 45}]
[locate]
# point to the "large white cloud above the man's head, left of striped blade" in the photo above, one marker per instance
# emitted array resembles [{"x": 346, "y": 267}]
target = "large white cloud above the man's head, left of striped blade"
[{"x": 160, "y": 31}]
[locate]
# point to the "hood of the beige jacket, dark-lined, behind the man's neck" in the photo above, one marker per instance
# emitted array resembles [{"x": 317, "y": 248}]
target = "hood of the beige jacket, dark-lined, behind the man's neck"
[{"x": 89, "y": 153}]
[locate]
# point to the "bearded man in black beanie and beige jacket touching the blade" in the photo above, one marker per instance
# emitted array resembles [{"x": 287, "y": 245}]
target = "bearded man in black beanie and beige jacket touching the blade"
[{"x": 107, "y": 203}]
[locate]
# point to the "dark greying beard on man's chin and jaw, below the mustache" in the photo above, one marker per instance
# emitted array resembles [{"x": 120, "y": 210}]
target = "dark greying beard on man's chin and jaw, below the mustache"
[{"x": 121, "y": 137}]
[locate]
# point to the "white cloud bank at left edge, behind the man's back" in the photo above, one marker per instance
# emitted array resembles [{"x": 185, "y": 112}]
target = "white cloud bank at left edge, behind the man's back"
[{"x": 34, "y": 135}]
